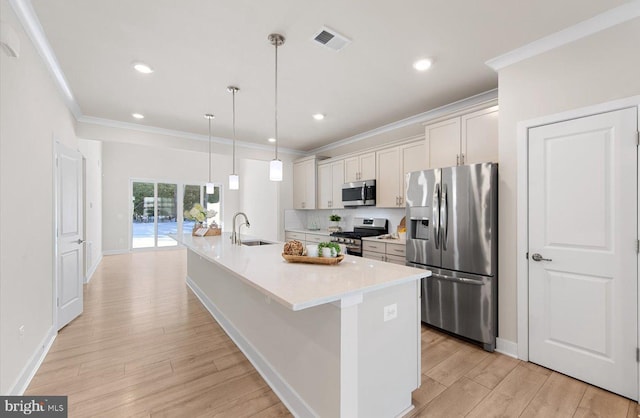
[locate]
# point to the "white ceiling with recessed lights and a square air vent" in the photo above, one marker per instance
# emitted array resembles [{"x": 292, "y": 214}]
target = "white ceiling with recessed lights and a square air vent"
[{"x": 199, "y": 47}]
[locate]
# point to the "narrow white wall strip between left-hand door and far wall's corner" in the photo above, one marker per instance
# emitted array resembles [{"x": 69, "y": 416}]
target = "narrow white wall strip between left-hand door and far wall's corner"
[{"x": 92, "y": 152}]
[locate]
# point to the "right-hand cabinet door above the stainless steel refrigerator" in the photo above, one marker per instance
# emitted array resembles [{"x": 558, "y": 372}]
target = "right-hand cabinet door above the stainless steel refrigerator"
[{"x": 480, "y": 136}]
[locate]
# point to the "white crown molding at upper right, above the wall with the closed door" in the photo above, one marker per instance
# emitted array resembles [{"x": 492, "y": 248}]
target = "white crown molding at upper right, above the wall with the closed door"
[{"x": 610, "y": 18}]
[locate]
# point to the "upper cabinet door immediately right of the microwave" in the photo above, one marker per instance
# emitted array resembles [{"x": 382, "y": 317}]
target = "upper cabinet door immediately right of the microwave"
[{"x": 388, "y": 178}]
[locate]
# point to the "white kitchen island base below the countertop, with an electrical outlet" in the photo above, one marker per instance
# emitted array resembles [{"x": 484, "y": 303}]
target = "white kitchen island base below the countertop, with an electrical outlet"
[{"x": 326, "y": 360}]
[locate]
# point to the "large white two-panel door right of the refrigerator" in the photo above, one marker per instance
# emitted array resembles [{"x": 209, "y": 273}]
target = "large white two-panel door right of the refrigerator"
[{"x": 583, "y": 213}]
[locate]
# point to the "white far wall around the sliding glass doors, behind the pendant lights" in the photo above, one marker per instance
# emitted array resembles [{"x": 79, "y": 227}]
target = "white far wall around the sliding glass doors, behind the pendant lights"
[{"x": 257, "y": 195}]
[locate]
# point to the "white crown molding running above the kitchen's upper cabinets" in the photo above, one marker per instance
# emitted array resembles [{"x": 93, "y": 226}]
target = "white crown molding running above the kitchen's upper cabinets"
[{"x": 486, "y": 97}]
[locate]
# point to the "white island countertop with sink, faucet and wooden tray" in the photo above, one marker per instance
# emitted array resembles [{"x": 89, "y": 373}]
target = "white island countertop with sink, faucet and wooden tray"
[{"x": 295, "y": 285}]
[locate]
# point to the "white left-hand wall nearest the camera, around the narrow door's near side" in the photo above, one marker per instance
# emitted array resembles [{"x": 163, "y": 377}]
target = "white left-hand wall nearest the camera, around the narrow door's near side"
[{"x": 32, "y": 113}]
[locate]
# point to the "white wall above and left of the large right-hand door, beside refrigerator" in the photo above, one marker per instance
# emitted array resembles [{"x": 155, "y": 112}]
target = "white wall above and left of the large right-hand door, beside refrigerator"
[{"x": 597, "y": 69}]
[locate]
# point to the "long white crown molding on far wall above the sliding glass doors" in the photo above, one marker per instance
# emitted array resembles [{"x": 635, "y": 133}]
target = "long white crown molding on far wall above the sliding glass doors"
[{"x": 109, "y": 123}]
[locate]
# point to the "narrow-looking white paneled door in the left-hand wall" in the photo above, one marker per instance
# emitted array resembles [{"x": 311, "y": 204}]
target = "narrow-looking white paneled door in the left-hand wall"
[{"x": 69, "y": 234}]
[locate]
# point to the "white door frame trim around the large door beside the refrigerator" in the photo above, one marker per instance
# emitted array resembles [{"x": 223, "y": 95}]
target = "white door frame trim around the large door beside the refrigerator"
[{"x": 522, "y": 216}]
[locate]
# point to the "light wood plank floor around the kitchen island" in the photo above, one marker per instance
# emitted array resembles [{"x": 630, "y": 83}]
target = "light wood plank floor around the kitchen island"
[{"x": 145, "y": 346}]
